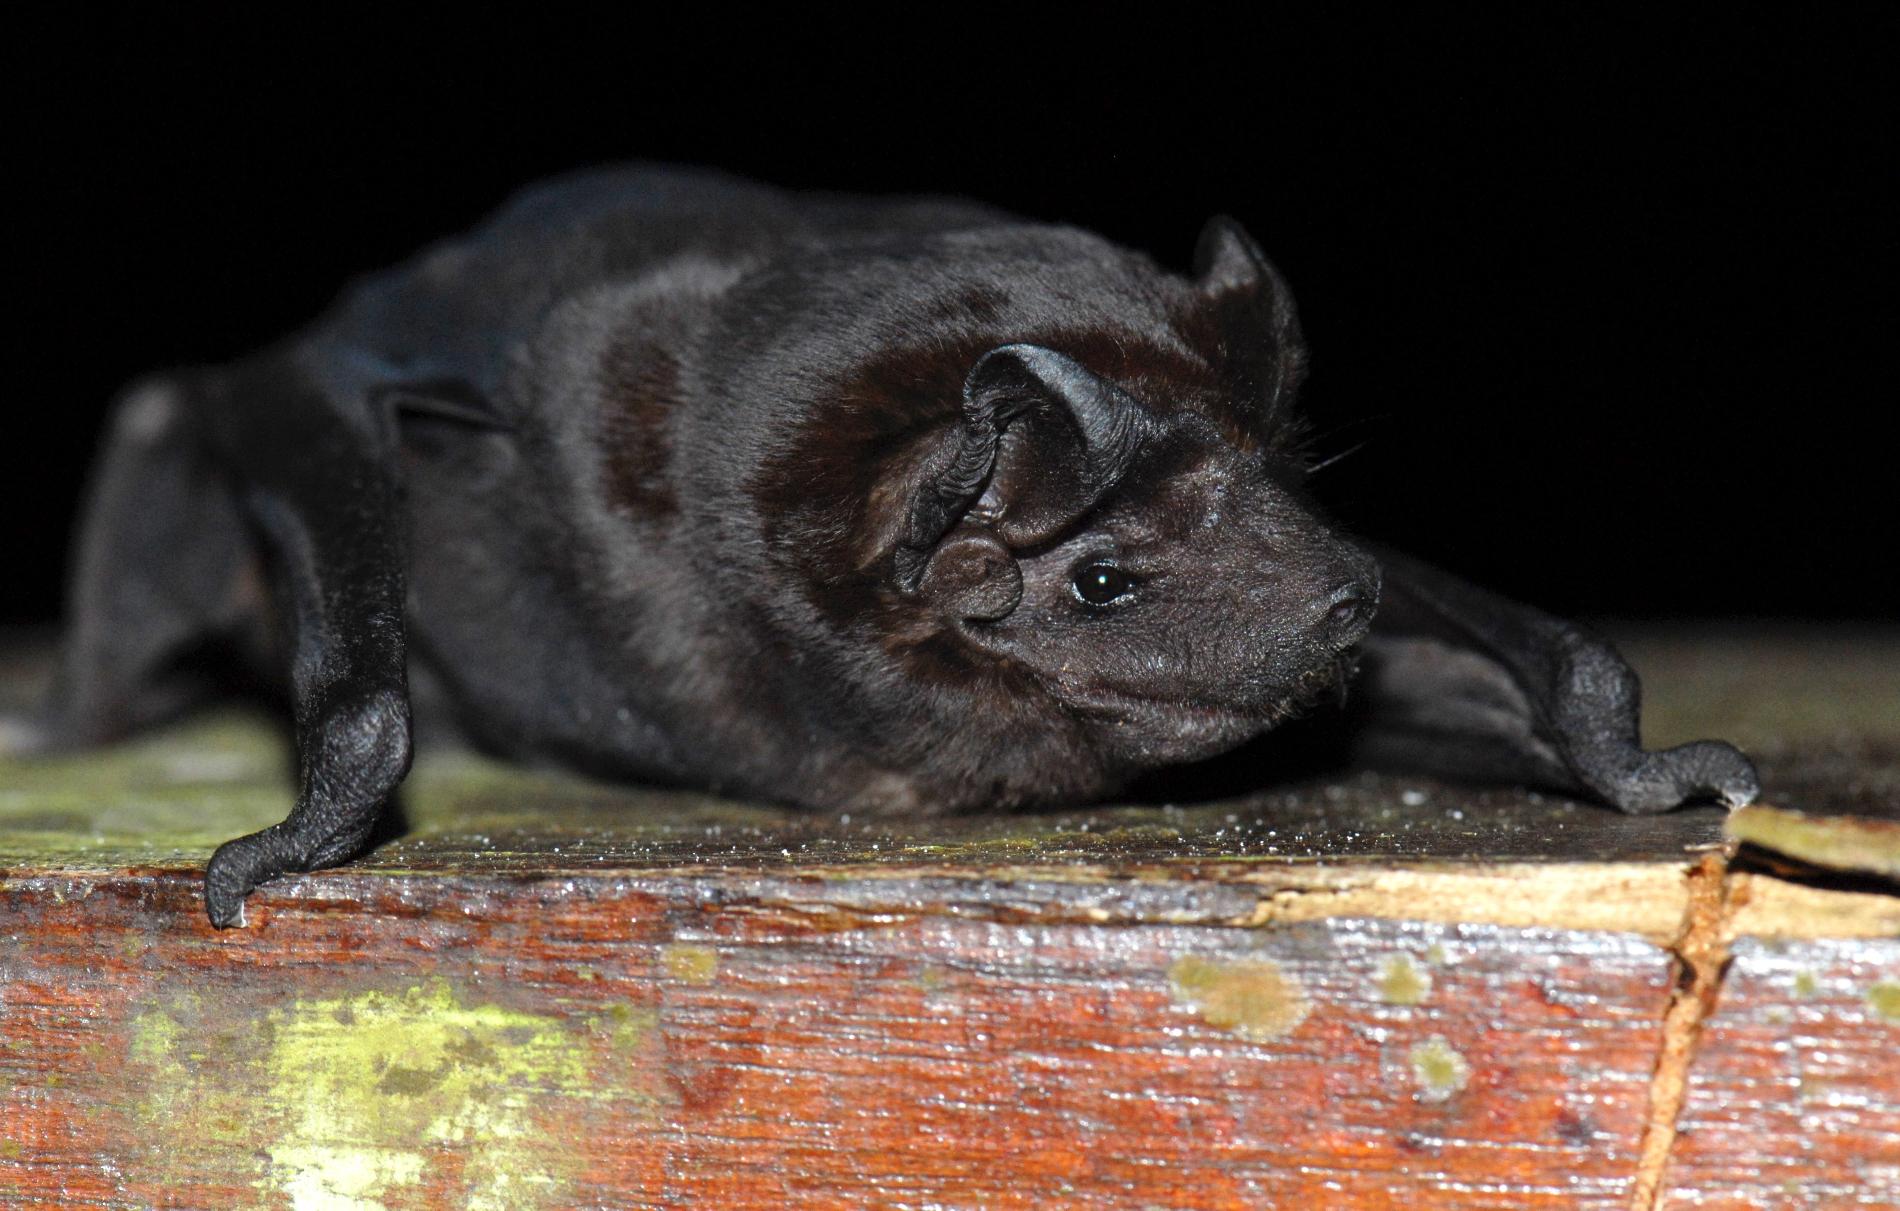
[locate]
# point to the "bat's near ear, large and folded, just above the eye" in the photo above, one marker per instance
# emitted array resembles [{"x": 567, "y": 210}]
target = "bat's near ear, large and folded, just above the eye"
[{"x": 1042, "y": 442}]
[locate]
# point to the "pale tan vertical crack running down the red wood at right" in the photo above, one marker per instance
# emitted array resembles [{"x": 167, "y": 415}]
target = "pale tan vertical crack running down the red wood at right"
[{"x": 1701, "y": 955}]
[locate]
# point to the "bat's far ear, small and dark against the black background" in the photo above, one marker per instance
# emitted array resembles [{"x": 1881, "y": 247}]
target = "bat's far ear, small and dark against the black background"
[{"x": 1253, "y": 305}]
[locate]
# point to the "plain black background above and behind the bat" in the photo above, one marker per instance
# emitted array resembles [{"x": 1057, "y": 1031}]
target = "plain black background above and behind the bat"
[{"x": 1610, "y": 301}]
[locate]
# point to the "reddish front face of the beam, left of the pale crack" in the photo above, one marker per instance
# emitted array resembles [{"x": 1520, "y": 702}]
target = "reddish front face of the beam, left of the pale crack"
[{"x": 708, "y": 1047}]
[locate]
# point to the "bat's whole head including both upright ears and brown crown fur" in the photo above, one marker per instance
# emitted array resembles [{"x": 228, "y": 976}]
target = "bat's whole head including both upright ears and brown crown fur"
[{"x": 1126, "y": 543}]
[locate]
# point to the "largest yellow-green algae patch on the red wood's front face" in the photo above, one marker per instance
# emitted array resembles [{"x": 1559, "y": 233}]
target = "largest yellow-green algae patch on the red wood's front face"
[{"x": 371, "y": 1096}]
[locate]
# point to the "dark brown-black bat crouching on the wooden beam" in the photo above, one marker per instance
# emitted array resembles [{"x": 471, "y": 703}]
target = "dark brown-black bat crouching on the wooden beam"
[{"x": 864, "y": 505}]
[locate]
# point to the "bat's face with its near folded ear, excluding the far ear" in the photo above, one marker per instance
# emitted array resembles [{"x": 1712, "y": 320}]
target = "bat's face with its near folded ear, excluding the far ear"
[{"x": 1168, "y": 588}]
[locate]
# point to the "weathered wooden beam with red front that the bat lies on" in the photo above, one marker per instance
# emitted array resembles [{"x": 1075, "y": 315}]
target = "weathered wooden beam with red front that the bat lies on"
[{"x": 1356, "y": 991}]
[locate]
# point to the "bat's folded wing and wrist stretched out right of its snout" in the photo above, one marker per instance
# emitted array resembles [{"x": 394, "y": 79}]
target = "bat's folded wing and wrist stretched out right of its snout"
[{"x": 1472, "y": 685}]
